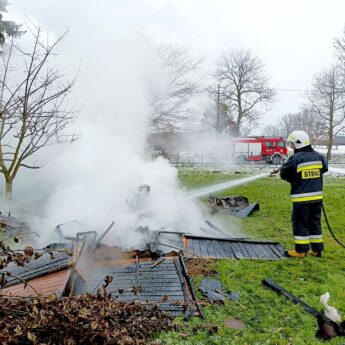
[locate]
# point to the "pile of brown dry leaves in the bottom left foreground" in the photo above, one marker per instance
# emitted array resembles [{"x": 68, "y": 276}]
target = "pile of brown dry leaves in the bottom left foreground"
[{"x": 85, "y": 319}]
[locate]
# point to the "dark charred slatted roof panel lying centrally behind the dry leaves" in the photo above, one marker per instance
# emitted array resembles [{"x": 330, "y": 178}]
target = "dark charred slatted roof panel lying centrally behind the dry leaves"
[{"x": 139, "y": 281}]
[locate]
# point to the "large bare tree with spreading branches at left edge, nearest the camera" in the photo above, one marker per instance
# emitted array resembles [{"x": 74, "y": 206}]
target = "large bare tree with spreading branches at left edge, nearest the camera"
[{"x": 33, "y": 108}]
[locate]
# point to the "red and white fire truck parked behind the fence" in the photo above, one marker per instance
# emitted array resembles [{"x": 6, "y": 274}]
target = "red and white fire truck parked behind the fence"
[{"x": 271, "y": 150}]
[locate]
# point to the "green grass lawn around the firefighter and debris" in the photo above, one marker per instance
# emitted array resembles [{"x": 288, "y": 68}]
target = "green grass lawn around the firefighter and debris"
[{"x": 269, "y": 318}]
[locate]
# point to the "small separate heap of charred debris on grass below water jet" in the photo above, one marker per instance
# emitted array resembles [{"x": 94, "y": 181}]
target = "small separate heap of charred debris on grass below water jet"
[{"x": 235, "y": 205}]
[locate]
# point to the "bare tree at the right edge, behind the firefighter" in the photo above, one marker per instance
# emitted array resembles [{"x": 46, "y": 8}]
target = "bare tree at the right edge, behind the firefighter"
[{"x": 327, "y": 99}]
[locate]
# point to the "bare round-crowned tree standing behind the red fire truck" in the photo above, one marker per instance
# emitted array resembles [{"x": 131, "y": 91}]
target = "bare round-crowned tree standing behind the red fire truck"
[{"x": 244, "y": 86}]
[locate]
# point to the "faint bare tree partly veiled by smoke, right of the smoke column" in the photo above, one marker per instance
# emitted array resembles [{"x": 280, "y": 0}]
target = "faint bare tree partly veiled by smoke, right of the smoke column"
[{"x": 170, "y": 106}]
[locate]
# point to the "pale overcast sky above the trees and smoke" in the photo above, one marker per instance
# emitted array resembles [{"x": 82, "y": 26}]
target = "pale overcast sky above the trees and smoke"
[{"x": 293, "y": 37}]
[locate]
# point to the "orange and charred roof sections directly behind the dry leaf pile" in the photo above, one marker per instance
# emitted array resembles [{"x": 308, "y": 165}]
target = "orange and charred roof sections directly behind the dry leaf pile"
[{"x": 70, "y": 270}]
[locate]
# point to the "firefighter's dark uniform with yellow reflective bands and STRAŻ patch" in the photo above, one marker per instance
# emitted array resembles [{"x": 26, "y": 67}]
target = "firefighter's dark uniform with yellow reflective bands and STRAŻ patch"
[{"x": 304, "y": 171}]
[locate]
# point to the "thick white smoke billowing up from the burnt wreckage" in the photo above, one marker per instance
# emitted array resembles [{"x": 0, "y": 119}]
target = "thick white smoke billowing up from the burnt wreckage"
[{"x": 96, "y": 179}]
